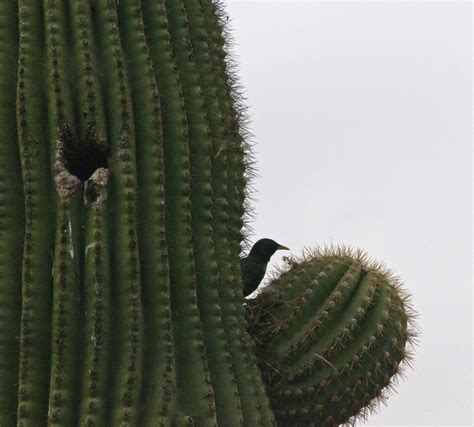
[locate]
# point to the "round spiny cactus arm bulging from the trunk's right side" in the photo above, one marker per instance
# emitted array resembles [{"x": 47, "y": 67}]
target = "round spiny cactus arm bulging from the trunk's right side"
[{"x": 332, "y": 331}]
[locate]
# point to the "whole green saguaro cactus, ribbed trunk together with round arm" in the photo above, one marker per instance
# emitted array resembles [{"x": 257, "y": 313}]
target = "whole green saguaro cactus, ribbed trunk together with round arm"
[{"x": 123, "y": 182}]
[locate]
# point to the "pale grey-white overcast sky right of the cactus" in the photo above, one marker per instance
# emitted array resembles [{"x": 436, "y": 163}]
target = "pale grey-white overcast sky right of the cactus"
[{"x": 362, "y": 119}]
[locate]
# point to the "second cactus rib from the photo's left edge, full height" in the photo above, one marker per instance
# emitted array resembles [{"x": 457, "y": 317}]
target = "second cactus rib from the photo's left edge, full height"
[{"x": 36, "y": 271}]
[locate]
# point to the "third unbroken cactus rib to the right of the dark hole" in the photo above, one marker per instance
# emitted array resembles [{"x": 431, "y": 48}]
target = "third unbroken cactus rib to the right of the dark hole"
[{"x": 191, "y": 368}]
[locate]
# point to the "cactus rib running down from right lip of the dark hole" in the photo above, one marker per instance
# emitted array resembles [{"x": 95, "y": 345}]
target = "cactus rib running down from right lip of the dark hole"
[{"x": 97, "y": 303}]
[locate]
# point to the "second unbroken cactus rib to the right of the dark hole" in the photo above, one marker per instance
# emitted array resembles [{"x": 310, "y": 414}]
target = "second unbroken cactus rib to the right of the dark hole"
[{"x": 158, "y": 347}]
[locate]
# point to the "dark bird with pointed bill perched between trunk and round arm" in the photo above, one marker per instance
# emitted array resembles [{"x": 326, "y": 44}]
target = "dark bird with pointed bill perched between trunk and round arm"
[{"x": 255, "y": 264}]
